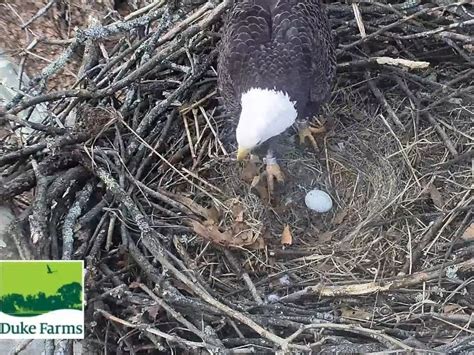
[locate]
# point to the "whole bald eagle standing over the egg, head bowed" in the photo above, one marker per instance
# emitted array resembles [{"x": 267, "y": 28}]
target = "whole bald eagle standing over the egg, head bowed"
[{"x": 276, "y": 68}]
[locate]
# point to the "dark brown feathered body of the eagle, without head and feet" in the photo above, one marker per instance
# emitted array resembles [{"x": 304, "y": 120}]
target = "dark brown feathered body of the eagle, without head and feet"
[{"x": 282, "y": 44}]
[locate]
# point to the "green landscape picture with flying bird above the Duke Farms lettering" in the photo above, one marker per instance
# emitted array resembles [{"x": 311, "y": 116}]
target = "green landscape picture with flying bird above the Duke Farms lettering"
[{"x": 37, "y": 287}]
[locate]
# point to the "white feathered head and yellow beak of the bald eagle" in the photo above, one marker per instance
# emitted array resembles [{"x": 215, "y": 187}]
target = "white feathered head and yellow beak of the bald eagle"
[{"x": 264, "y": 114}]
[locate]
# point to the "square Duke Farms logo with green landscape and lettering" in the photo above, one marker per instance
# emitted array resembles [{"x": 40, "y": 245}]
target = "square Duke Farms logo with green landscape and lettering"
[{"x": 41, "y": 299}]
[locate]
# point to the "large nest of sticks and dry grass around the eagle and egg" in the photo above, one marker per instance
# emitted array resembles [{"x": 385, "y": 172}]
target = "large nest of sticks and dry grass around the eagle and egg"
[{"x": 127, "y": 162}]
